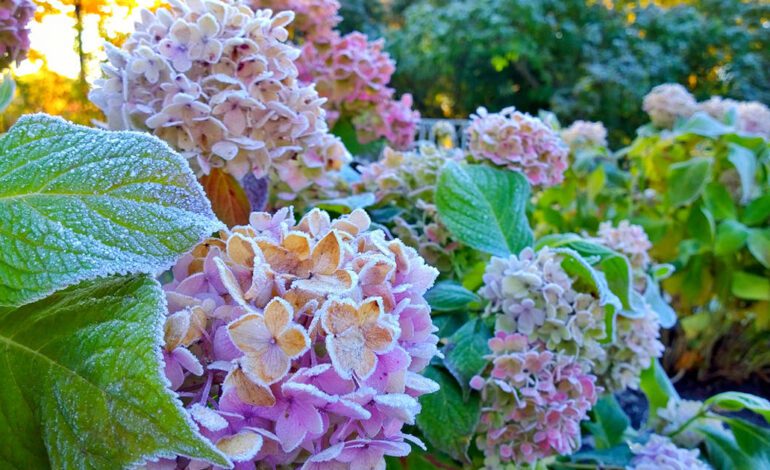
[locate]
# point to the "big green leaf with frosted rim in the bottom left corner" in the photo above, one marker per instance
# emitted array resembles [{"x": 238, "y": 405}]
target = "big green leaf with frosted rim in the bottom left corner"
[{"x": 82, "y": 381}]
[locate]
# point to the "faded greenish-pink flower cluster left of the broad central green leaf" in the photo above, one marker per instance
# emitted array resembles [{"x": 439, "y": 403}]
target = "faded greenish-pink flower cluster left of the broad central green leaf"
[{"x": 408, "y": 180}]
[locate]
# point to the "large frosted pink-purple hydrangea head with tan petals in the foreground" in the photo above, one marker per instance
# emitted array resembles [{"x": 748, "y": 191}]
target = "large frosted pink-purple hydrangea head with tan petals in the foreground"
[{"x": 300, "y": 344}]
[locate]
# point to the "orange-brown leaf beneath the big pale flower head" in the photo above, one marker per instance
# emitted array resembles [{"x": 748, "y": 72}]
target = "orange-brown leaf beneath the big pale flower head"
[{"x": 228, "y": 198}]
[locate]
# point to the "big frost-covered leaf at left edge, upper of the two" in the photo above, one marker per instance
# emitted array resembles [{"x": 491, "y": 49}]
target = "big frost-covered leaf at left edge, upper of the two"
[{"x": 76, "y": 203}]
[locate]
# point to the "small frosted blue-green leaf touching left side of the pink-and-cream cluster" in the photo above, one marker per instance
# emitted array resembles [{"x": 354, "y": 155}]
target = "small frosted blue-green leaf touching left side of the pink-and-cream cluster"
[{"x": 465, "y": 351}]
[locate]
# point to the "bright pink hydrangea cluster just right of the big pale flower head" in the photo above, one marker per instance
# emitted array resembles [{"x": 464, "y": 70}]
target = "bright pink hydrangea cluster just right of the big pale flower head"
[{"x": 353, "y": 73}]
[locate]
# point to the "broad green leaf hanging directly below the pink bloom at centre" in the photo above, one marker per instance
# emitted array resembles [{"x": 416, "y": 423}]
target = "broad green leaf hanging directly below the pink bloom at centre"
[{"x": 484, "y": 207}]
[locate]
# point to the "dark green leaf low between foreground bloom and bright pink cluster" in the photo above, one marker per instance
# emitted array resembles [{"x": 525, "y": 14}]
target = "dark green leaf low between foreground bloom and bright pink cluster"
[{"x": 447, "y": 420}]
